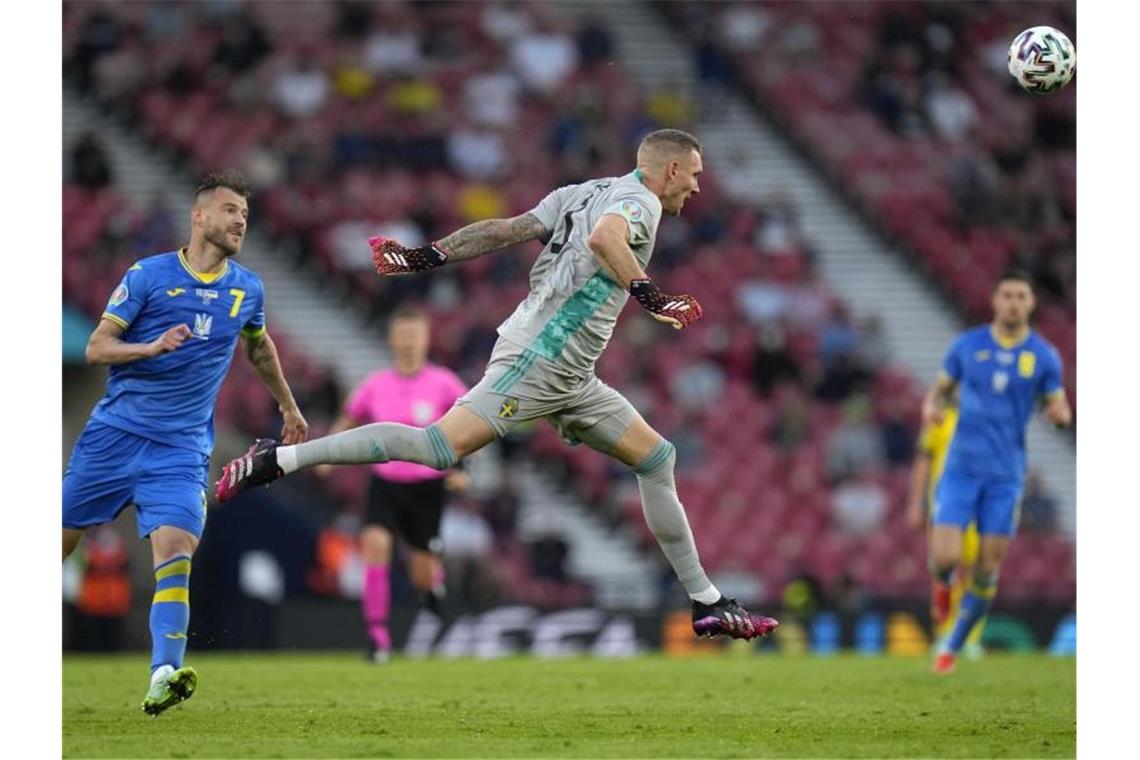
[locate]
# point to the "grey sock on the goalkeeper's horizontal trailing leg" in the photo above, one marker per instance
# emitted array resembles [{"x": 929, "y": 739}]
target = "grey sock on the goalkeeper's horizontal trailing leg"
[{"x": 371, "y": 444}]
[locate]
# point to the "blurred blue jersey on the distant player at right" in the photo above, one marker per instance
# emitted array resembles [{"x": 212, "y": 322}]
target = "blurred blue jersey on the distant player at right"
[{"x": 1000, "y": 388}]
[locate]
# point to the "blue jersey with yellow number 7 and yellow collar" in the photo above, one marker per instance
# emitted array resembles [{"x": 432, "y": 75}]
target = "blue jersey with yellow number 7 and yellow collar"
[{"x": 172, "y": 398}]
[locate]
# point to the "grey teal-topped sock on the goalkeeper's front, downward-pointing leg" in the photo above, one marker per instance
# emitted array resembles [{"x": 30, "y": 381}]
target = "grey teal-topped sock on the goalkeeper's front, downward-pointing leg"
[{"x": 666, "y": 518}]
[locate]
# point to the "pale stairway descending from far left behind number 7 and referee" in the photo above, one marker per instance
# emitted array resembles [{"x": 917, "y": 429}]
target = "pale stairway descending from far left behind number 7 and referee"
[{"x": 331, "y": 332}]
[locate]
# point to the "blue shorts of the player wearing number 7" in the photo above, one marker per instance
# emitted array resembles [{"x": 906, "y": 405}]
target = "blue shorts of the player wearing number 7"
[{"x": 111, "y": 469}]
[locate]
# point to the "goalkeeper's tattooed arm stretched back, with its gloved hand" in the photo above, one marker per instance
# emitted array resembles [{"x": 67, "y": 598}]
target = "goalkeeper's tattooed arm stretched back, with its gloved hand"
[{"x": 470, "y": 242}]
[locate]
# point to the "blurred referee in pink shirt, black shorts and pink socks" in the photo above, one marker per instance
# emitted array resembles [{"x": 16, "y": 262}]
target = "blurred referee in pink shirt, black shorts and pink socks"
[{"x": 404, "y": 499}]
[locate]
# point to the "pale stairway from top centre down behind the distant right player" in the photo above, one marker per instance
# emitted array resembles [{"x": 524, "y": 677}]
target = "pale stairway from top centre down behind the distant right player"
[{"x": 854, "y": 259}]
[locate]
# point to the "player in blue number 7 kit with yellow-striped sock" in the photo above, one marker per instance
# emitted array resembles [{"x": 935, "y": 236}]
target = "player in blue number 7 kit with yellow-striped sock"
[{"x": 168, "y": 334}]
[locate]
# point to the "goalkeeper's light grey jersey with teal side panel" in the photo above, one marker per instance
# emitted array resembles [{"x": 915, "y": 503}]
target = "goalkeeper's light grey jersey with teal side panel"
[{"x": 573, "y": 306}]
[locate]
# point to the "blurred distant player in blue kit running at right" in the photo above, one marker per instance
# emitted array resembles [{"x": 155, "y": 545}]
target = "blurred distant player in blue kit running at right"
[{"x": 1004, "y": 371}]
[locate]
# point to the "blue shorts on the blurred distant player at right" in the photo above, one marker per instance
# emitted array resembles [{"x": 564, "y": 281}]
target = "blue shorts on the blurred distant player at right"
[{"x": 994, "y": 505}]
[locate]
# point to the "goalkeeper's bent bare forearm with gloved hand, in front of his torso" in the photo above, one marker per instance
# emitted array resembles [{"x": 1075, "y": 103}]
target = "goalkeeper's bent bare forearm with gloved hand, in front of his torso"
[{"x": 609, "y": 244}]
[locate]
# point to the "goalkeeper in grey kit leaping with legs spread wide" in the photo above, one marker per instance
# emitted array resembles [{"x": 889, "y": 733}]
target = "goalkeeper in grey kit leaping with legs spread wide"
[{"x": 599, "y": 238}]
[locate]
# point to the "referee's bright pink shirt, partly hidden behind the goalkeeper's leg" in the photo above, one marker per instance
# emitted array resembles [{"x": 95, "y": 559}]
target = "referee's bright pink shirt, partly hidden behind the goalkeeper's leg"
[{"x": 389, "y": 397}]
